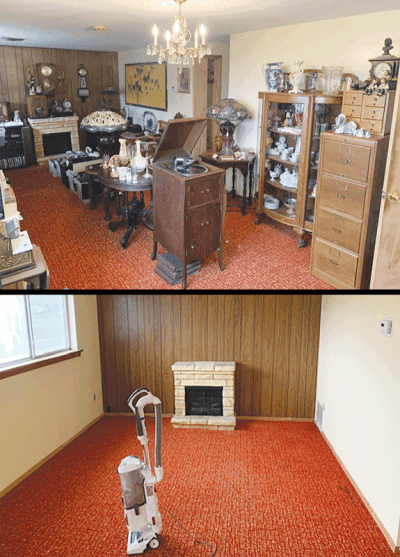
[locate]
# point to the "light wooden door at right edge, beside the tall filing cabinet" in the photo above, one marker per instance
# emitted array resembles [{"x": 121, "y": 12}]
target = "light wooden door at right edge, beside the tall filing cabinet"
[{"x": 386, "y": 267}]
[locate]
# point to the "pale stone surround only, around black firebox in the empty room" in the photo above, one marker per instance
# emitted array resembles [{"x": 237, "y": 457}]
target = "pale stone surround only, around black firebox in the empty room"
[{"x": 205, "y": 374}]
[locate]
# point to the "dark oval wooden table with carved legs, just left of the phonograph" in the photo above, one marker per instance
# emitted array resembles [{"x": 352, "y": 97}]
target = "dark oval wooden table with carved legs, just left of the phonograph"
[{"x": 133, "y": 211}]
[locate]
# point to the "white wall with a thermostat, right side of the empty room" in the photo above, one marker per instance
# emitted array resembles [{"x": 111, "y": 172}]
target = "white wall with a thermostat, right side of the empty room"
[{"x": 359, "y": 383}]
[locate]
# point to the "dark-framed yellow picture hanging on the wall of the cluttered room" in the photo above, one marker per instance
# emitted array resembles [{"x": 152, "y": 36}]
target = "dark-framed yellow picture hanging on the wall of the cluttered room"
[{"x": 146, "y": 85}]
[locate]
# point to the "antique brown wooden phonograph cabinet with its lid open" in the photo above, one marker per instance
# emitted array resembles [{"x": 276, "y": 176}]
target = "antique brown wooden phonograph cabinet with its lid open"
[{"x": 189, "y": 199}]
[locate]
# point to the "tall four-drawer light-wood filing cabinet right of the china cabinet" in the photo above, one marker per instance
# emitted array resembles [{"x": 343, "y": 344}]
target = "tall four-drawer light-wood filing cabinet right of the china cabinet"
[{"x": 350, "y": 179}]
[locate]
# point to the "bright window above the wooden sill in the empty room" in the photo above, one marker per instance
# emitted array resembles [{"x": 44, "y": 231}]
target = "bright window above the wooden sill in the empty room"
[{"x": 35, "y": 327}]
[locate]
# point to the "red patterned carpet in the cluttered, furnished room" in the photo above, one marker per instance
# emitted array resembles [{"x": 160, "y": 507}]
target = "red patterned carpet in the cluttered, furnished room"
[{"x": 82, "y": 253}]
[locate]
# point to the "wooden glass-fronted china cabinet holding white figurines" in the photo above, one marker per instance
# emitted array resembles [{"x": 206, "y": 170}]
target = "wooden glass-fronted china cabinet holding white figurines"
[{"x": 313, "y": 111}]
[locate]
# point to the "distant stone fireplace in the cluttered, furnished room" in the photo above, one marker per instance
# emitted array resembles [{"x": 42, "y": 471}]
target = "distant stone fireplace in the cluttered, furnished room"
[{"x": 45, "y": 132}]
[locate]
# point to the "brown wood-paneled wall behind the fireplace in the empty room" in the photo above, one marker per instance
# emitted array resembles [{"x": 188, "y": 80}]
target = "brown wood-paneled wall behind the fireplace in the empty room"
[{"x": 273, "y": 338}]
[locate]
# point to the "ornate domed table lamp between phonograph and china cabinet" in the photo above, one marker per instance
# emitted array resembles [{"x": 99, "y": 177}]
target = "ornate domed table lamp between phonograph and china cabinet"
[{"x": 228, "y": 113}]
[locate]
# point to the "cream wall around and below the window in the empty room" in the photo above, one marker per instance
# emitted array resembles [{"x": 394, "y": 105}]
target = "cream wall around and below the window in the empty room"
[{"x": 42, "y": 409}]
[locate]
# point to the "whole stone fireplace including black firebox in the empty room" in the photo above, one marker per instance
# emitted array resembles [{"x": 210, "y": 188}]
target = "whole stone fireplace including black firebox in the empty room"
[{"x": 204, "y": 395}]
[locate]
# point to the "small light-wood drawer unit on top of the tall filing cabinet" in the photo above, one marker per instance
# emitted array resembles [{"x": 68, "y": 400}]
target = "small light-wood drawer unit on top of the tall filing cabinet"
[{"x": 371, "y": 112}]
